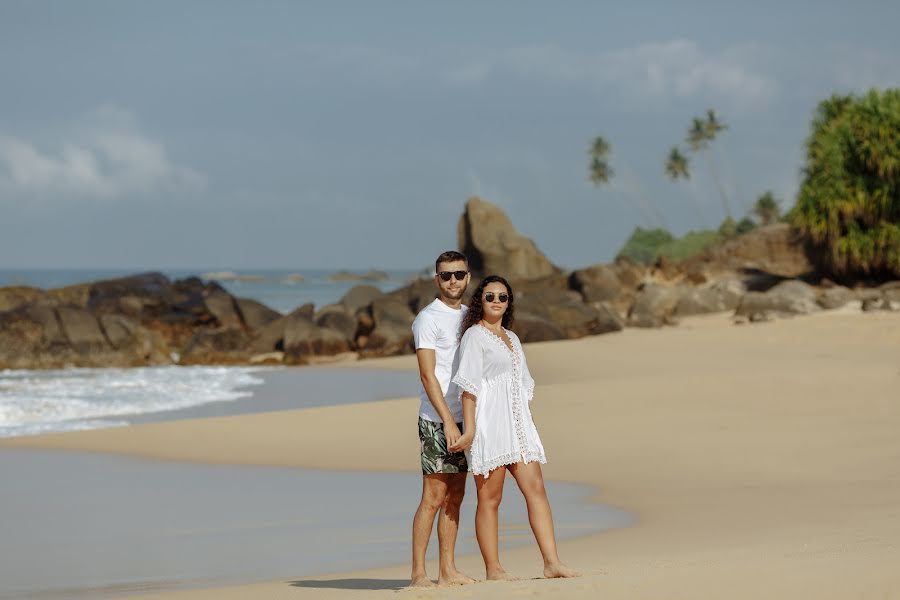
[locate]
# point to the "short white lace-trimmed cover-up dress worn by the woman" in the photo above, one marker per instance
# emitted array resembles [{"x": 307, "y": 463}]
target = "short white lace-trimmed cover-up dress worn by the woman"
[{"x": 503, "y": 388}]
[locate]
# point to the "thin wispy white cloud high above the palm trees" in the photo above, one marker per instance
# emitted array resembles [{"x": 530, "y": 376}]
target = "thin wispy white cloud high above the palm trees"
[{"x": 679, "y": 68}]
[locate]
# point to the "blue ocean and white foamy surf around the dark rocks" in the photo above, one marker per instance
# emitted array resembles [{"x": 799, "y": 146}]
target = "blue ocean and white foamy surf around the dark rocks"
[{"x": 38, "y": 401}]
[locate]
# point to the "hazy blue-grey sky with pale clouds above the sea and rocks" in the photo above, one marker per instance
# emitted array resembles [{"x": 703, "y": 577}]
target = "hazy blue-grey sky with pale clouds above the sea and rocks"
[{"x": 341, "y": 134}]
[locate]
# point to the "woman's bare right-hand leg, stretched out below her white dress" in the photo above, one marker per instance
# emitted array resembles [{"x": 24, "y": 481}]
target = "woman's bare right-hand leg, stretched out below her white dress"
[{"x": 531, "y": 482}]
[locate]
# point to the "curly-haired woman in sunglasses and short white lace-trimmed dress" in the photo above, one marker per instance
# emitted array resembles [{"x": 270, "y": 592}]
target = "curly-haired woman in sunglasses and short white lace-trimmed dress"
[{"x": 500, "y": 436}]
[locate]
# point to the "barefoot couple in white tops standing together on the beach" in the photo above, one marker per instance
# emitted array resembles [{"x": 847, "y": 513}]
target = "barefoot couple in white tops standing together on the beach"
[{"x": 475, "y": 415}]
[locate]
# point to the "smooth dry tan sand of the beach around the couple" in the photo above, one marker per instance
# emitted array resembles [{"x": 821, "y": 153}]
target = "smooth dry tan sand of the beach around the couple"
[{"x": 759, "y": 461}]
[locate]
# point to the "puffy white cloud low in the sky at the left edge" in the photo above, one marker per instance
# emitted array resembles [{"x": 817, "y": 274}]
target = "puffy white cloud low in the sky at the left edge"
[{"x": 106, "y": 157}]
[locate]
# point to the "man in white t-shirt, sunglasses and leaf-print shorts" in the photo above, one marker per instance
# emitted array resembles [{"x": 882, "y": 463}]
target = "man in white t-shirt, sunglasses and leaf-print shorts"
[{"x": 436, "y": 335}]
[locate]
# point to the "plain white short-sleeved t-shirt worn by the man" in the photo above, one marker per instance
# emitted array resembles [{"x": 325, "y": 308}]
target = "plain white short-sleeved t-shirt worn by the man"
[{"x": 437, "y": 327}]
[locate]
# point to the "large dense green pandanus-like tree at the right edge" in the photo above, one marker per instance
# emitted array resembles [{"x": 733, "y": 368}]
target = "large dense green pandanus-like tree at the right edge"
[{"x": 849, "y": 203}]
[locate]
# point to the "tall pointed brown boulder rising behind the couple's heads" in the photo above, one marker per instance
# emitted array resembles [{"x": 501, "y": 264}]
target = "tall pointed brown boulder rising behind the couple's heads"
[{"x": 493, "y": 246}]
